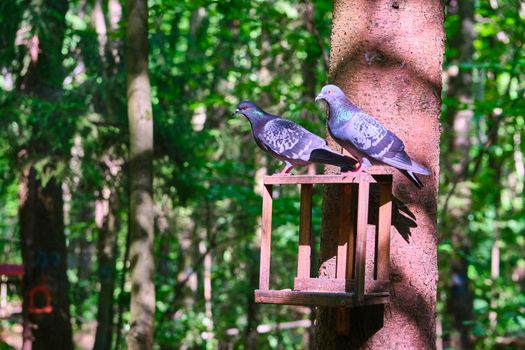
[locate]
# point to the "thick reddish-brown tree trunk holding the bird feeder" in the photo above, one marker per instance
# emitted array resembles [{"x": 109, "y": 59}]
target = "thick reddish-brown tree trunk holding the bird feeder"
[{"x": 387, "y": 55}]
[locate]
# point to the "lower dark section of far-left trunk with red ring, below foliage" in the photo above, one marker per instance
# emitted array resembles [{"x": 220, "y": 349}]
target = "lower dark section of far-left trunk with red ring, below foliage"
[{"x": 44, "y": 255}]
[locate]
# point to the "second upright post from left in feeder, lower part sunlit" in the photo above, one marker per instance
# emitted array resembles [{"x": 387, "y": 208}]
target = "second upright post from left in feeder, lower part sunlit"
[{"x": 305, "y": 232}]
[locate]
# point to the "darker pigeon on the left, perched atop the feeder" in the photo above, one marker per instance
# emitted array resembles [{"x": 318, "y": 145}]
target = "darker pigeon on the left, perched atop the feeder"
[{"x": 290, "y": 142}]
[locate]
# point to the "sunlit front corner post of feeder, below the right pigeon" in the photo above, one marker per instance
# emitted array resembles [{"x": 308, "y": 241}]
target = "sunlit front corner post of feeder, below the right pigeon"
[{"x": 362, "y": 223}]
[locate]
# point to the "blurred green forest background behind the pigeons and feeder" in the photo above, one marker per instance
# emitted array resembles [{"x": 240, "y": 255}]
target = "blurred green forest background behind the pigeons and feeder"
[{"x": 66, "y": 119}]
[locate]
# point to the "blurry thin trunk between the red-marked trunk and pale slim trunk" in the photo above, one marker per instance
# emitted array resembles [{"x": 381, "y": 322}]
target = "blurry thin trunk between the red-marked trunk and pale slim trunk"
[{"x": 107, "y": 205}]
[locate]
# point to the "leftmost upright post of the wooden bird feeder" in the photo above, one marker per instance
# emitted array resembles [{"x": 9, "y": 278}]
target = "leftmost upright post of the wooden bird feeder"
[{"x": 266, "y": 238}]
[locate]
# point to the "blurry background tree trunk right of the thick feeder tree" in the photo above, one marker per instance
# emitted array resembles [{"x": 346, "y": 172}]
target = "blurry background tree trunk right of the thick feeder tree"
[{"x": 458, "y": 120}]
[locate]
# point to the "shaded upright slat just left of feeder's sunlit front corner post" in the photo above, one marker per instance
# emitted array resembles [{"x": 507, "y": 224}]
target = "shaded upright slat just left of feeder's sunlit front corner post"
[{"x": 343, "y": 235}]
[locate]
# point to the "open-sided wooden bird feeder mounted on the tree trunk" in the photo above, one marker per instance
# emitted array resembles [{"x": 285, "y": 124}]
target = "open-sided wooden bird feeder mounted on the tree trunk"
[{"x": 352, "y": 285}]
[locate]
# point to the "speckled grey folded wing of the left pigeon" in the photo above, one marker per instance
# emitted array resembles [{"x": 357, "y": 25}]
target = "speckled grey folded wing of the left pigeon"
[{"x": 290, "y": 140}]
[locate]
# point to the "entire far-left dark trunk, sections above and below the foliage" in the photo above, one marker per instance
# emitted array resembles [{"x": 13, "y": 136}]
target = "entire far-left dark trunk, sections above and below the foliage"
[{"x": 41, "y": 205}]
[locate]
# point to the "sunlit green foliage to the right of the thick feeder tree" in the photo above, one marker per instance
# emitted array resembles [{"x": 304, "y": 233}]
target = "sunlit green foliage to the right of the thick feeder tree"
[{"x": 492, "y": 183}]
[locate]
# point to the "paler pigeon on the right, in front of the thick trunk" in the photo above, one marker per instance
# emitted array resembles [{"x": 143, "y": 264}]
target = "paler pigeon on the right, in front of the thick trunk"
[{"x": 365, "y": 137}]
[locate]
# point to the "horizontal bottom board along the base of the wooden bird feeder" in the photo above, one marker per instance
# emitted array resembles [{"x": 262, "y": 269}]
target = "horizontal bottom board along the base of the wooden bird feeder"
[{"x": 289, "y": 297}]
